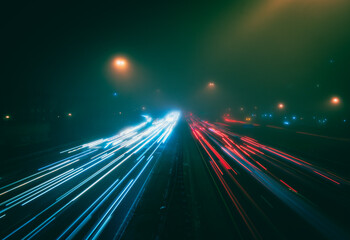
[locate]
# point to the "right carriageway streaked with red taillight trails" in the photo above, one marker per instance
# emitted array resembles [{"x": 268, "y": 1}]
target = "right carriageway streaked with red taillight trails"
[{"x": 271, "y": 193}]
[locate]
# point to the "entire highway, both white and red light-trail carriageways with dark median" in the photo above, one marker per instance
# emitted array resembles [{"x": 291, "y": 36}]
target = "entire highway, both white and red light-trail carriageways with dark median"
[{"x": 209, "y": 181}]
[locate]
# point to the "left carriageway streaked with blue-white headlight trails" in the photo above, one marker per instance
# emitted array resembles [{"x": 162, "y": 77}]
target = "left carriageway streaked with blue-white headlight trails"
[{"x": 87, "y": 191}]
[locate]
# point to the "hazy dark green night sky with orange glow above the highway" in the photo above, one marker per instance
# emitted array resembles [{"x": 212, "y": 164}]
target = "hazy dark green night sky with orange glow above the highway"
[{"x": 258, "y": 54}]
